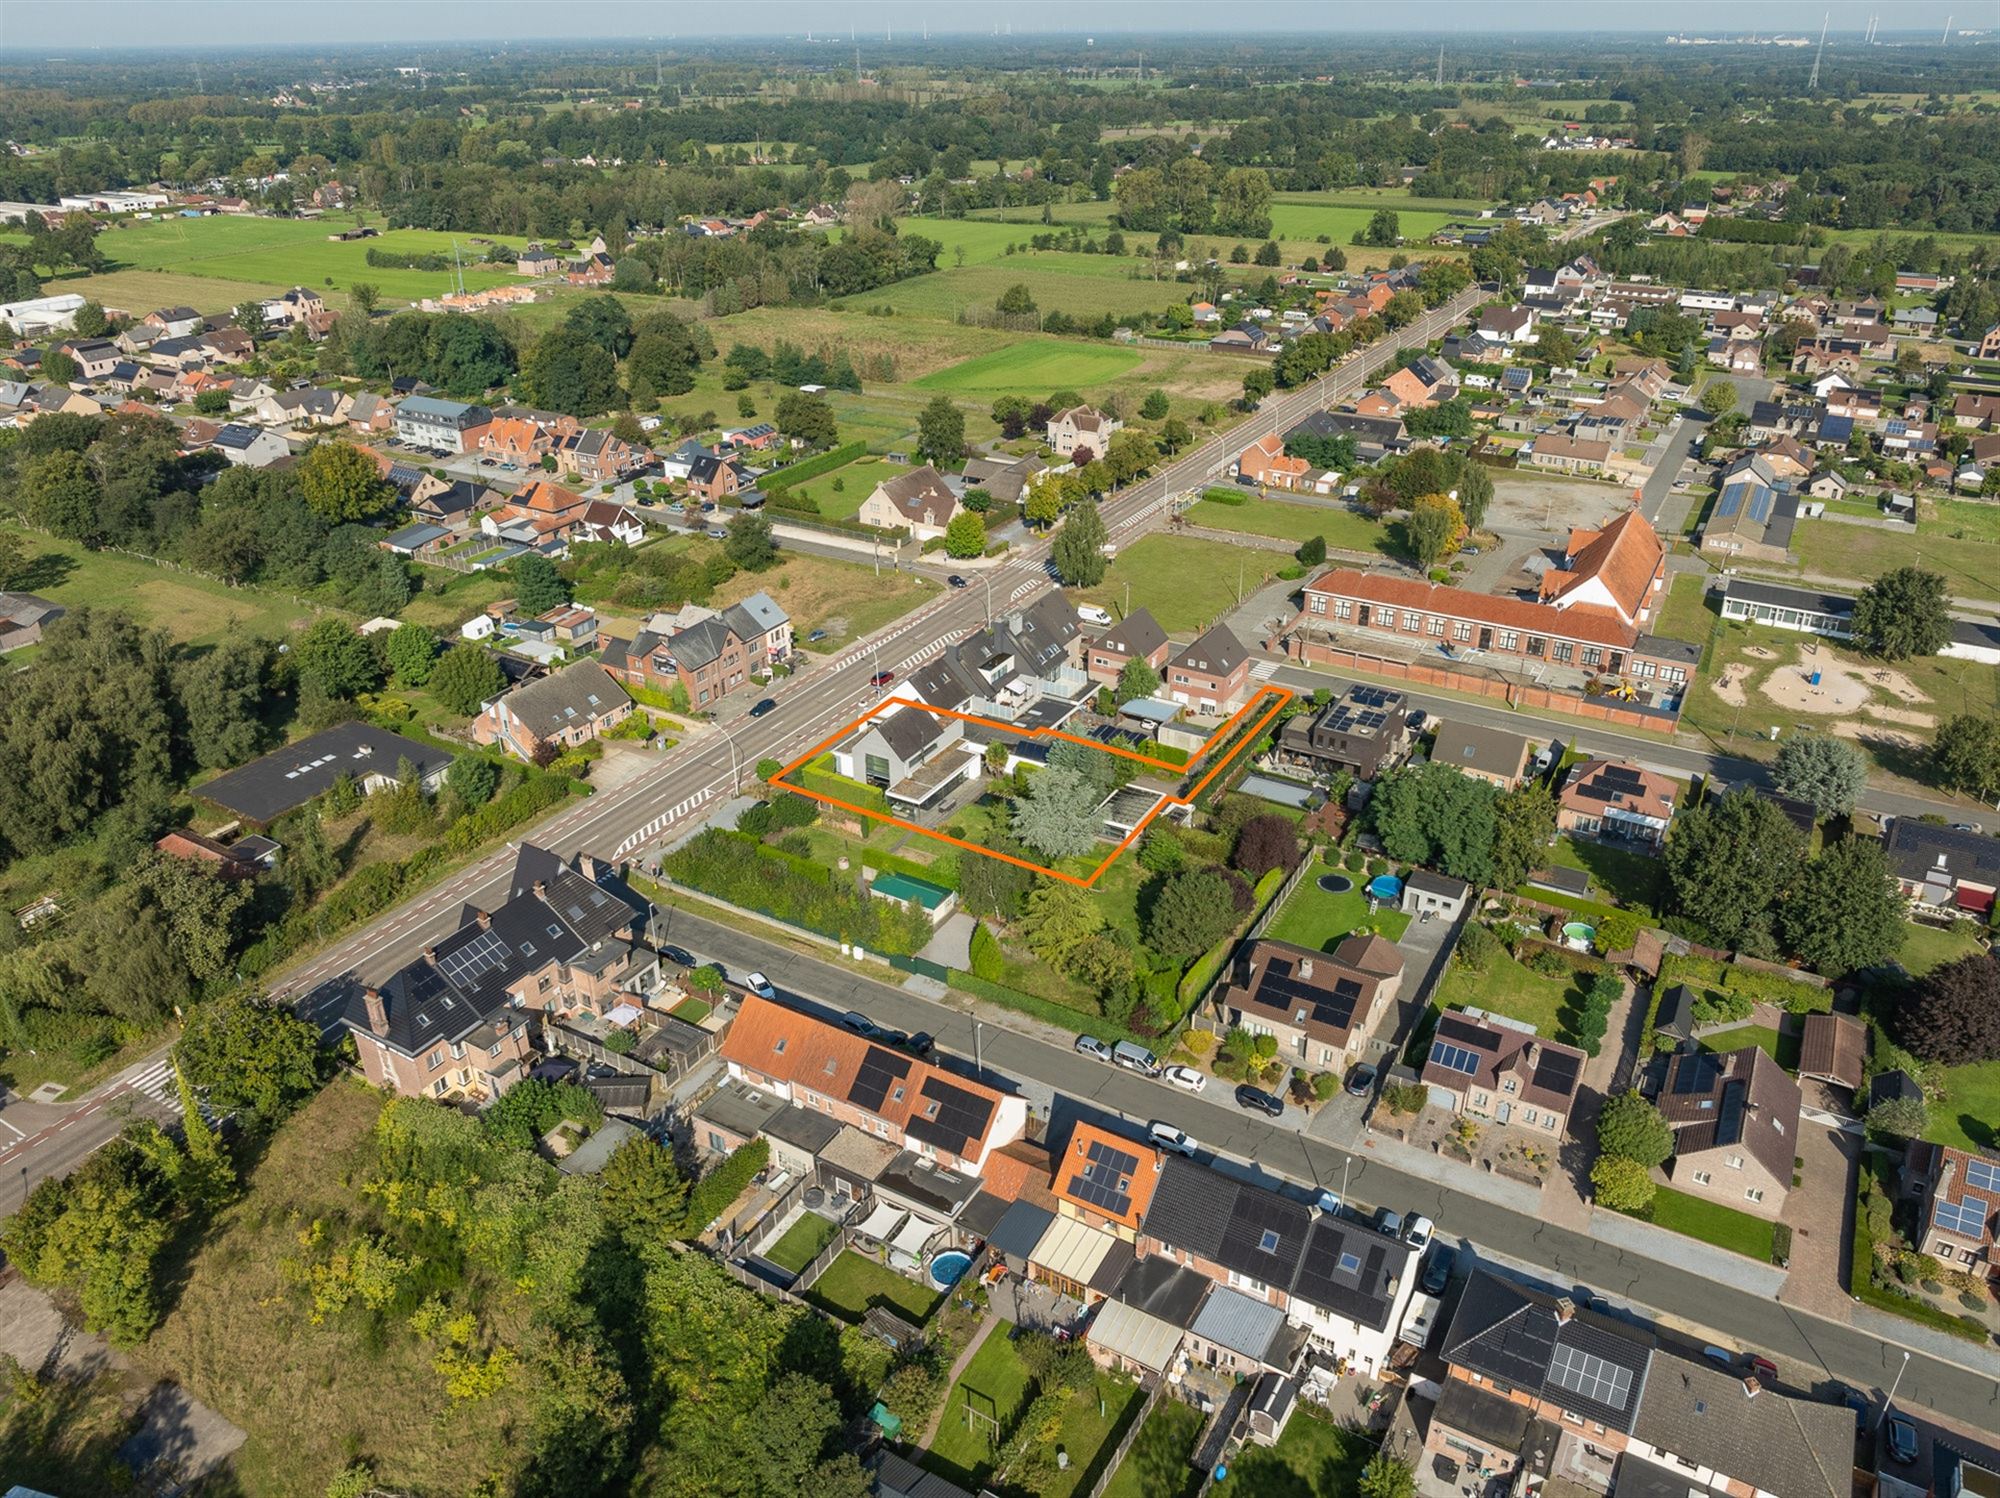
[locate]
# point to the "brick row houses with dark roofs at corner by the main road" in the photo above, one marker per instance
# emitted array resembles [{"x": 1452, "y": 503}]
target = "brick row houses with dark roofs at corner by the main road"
[{"x": 461, "y": 1019}]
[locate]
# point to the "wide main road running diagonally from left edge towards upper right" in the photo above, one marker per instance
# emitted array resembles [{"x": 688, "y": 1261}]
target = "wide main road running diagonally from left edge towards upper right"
[{"x": 705, "y": 771}]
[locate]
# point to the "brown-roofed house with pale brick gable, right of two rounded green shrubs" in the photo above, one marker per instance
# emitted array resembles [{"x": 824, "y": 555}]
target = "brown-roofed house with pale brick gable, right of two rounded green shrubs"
[{"x": 1735, "y": 1119}]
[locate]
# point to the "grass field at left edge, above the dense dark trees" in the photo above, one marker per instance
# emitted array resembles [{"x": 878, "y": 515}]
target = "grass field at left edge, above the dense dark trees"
[{"x": 189, "y": 607}]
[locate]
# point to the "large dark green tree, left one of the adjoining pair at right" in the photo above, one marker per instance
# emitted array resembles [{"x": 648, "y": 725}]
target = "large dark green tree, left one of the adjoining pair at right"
[{"x": 1729, "y": 863}]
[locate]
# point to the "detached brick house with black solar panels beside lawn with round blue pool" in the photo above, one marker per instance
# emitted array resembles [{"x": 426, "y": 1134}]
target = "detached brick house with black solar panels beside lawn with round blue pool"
[{"x": 1319, "y": 1007}]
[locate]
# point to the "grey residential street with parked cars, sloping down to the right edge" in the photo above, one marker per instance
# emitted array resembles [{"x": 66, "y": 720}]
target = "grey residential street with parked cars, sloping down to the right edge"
[{"x": 1083, "y": 1089}]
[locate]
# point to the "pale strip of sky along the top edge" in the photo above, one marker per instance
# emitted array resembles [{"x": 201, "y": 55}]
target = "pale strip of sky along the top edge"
[{"x": 85, "y": 25}]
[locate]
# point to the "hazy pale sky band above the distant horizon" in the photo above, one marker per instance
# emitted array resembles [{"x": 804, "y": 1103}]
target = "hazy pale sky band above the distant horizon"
[{"x": 223, "y": 25}]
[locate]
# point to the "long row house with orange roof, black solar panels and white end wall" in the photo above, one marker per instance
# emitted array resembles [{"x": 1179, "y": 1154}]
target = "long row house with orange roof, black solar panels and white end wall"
[{"x": 951, "y": 1123}]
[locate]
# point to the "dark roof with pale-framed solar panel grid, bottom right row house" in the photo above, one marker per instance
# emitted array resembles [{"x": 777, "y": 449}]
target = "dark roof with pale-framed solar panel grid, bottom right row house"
[{"x": 1581, "y": 1361}]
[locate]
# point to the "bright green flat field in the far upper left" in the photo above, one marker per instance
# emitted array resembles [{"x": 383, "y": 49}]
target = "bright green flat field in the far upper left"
[{"x": 293, "y": 253}]
